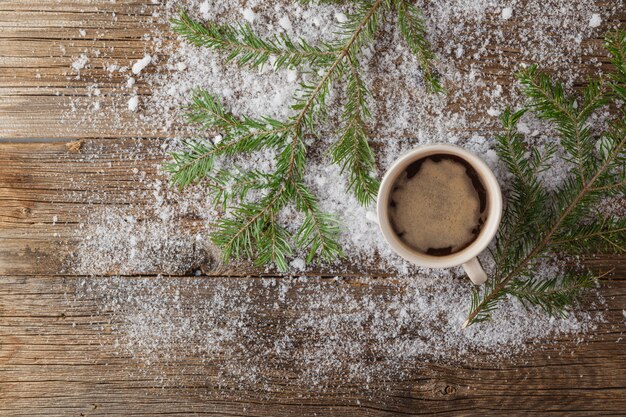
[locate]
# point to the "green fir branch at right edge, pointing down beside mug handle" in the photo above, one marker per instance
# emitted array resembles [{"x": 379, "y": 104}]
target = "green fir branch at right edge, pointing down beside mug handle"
[{"x": 562, "y": 228}]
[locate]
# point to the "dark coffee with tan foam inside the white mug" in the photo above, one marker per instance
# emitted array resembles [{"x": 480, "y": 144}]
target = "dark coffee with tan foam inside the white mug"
[{"x": 437, "y": 205}]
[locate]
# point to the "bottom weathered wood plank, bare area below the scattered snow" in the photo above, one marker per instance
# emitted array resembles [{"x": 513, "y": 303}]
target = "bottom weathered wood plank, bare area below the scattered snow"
[{"x": 58, "y": 357}]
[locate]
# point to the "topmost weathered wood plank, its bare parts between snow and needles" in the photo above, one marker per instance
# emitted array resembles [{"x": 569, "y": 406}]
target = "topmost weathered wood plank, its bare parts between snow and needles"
[{"x": 38, "y": 88}]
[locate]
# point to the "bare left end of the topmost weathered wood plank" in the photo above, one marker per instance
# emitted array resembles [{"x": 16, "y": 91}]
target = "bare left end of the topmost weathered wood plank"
[{"x": 41, "y": 95}]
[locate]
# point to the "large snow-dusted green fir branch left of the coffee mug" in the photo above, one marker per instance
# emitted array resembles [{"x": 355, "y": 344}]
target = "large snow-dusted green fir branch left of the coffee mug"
[{"x": 253, "y": 201}]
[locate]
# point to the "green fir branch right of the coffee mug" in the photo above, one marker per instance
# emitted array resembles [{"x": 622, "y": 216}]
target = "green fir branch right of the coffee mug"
[{"x": 539, "y": 223}]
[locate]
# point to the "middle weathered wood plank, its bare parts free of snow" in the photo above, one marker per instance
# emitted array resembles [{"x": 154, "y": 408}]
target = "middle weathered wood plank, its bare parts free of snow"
[{"x": 49, "y": 191}]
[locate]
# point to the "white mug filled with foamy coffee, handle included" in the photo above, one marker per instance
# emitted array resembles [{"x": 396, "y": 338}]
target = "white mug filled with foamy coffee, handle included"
[{"x": 439, "y": 206}]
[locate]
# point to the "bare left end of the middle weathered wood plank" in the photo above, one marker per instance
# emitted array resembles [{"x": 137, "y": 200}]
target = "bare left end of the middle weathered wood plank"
[{"x": 48, "y": 189}]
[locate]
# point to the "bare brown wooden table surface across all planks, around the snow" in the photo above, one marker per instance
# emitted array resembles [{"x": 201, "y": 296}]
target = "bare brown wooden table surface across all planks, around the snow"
[{"x": 56, "y": 357}]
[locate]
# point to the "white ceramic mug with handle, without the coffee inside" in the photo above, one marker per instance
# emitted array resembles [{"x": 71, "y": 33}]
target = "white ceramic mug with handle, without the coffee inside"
[{"x": 466, "y": 257}]
